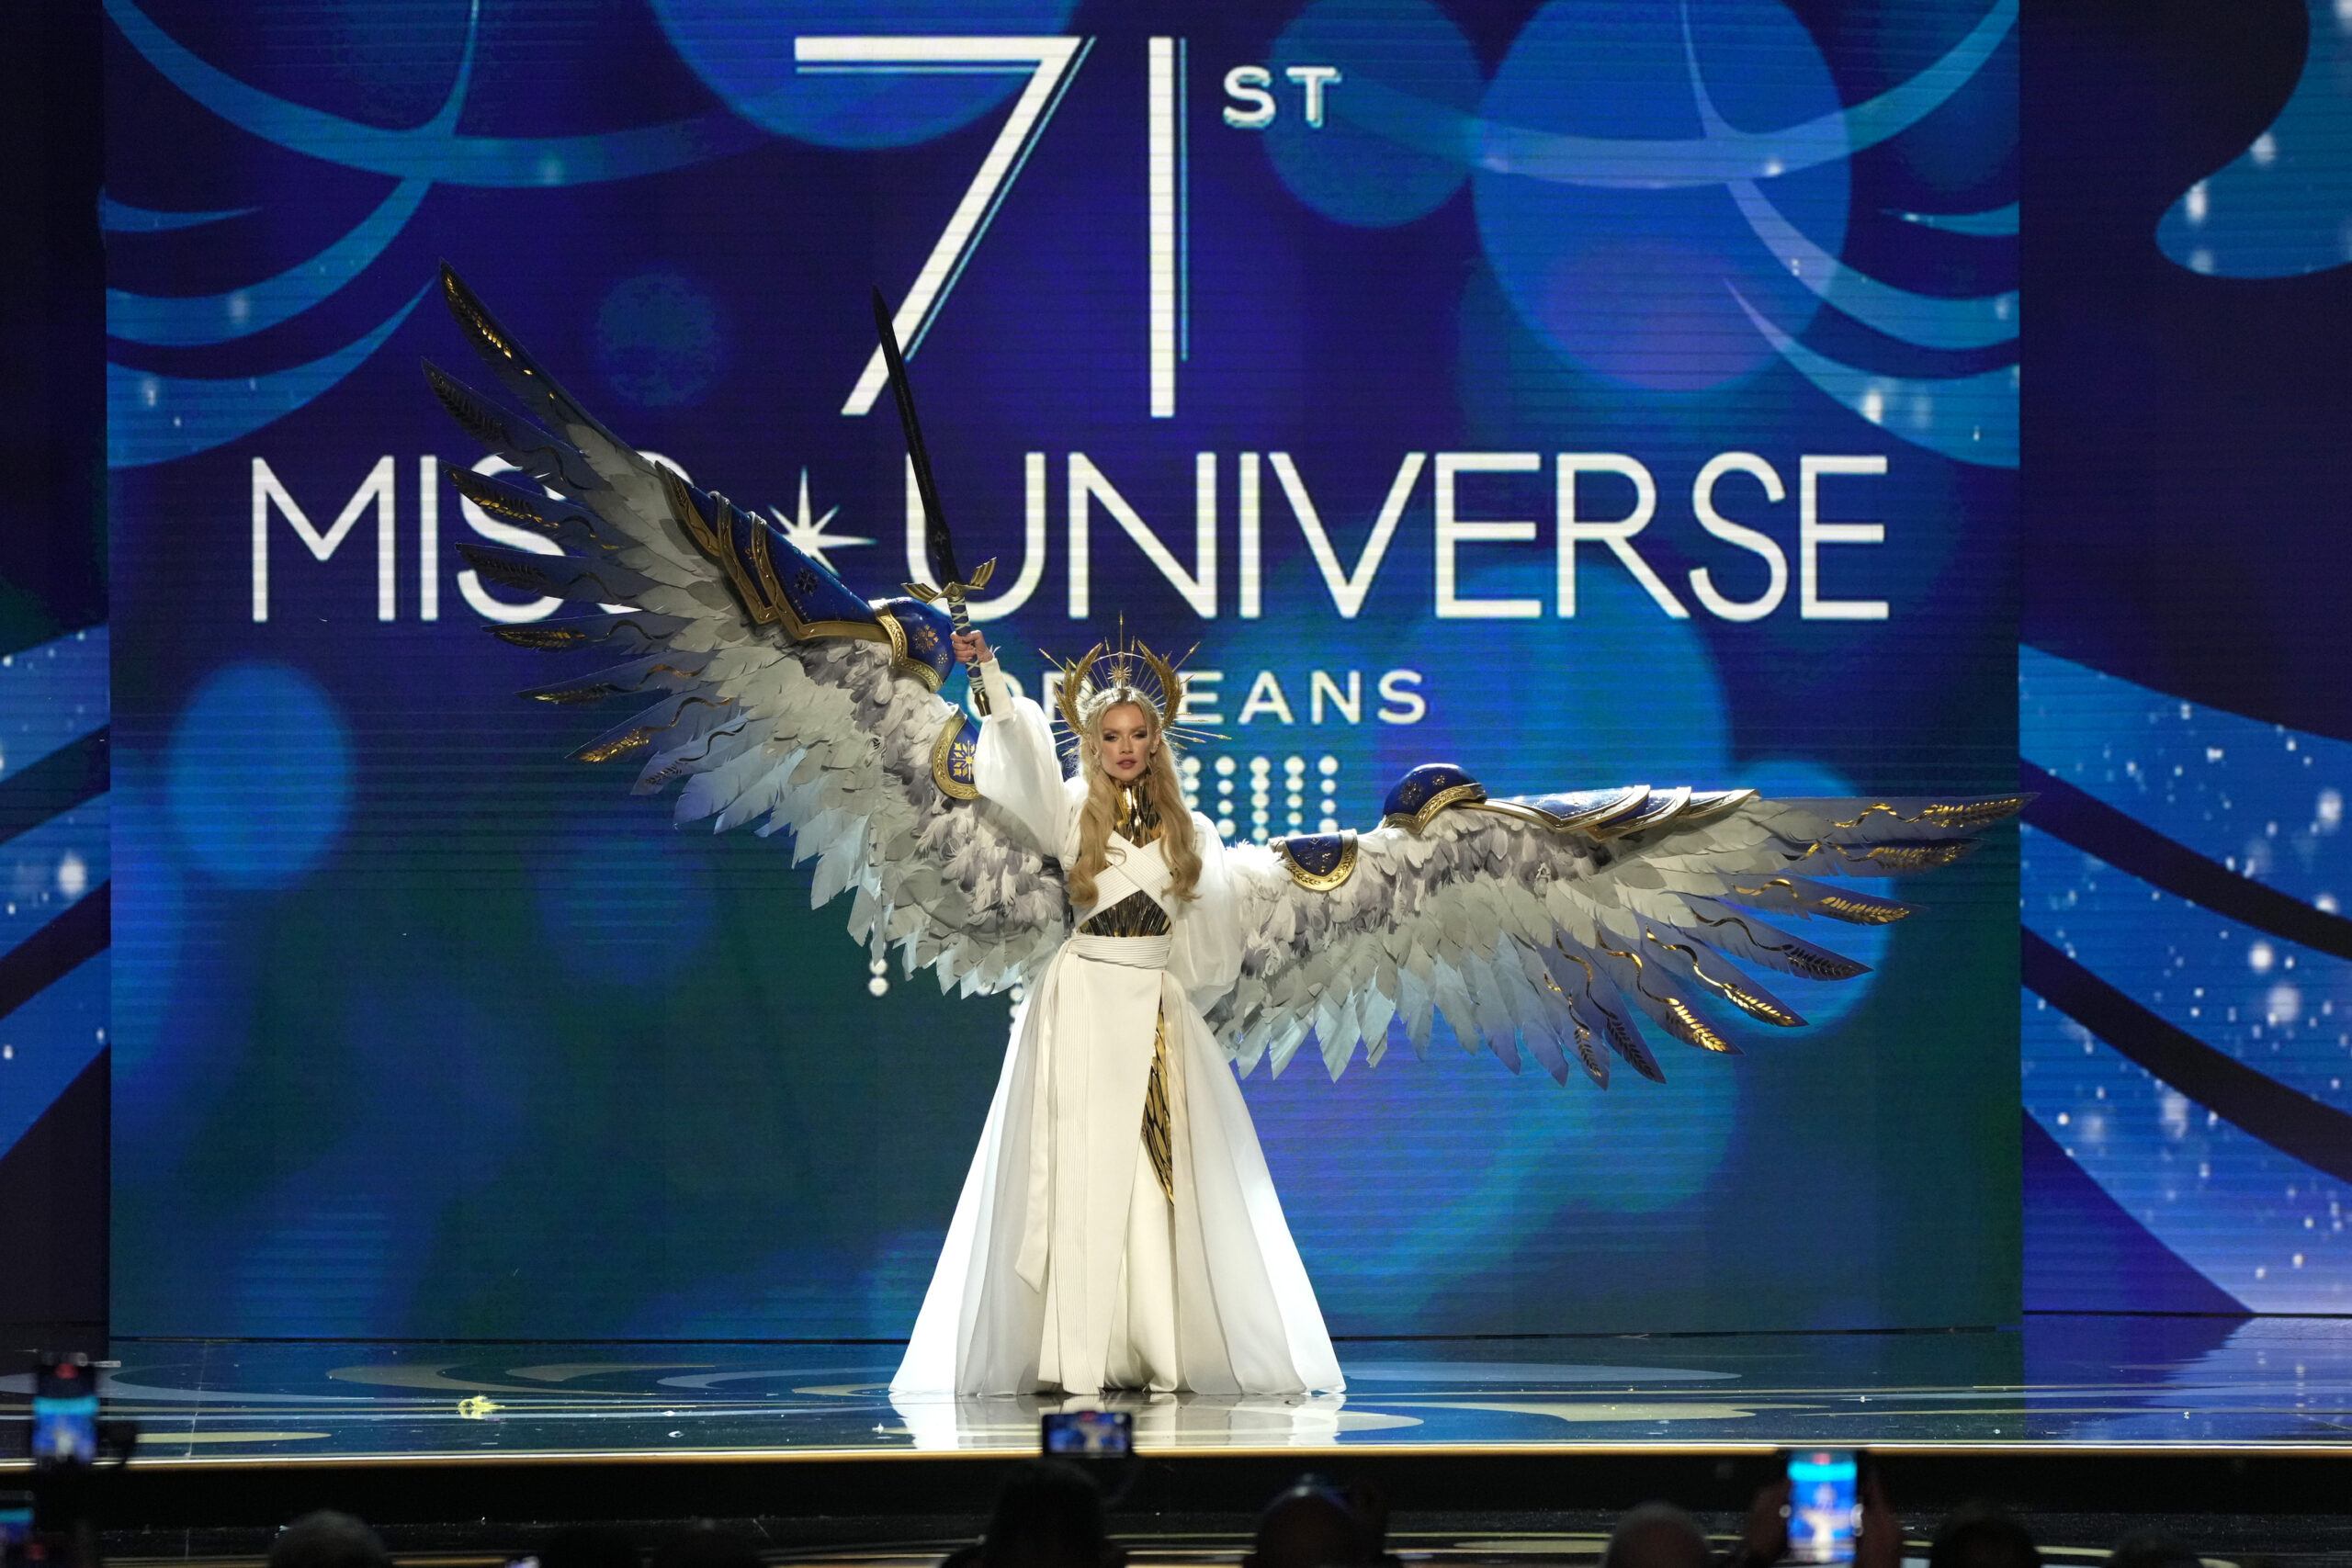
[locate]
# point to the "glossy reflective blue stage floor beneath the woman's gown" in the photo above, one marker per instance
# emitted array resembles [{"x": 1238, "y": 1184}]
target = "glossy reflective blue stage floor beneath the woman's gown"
[{"x": 2066, "y": 1381}]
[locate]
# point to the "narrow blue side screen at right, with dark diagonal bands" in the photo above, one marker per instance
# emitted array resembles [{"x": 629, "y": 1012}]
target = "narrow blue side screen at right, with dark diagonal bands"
[{"x": 2186, "y": 709}]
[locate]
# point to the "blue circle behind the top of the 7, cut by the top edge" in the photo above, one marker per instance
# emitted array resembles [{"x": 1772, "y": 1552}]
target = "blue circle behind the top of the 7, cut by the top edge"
[{"x": 747, "y": 58}]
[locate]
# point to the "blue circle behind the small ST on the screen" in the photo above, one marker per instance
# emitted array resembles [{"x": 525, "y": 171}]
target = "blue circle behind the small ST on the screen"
[{"x": 1391, "y": 145}]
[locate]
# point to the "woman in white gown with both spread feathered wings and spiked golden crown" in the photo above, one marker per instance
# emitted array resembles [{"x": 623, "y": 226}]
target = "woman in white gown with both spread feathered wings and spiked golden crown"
[{"x": 1118, "y": 1226}]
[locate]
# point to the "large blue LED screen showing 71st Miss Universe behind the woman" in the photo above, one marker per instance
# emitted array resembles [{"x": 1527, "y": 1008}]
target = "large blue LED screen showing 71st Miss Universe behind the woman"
[{"x": 1584, "y": 394}]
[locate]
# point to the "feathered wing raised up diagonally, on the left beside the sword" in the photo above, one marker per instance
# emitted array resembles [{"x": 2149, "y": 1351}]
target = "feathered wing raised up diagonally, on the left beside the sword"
[{"x": 782, "y": 697}]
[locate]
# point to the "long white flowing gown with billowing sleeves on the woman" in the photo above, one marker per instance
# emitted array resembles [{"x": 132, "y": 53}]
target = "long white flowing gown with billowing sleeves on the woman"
[{"x": 1067, "y": 1268}]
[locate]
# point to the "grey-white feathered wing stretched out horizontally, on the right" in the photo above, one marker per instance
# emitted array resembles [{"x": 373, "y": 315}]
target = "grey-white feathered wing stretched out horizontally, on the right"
[{"x": 1553, "y": 923}]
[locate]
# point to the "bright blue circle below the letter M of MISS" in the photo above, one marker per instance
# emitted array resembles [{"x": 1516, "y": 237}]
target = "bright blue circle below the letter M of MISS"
[{"x": 260, "y": 775}]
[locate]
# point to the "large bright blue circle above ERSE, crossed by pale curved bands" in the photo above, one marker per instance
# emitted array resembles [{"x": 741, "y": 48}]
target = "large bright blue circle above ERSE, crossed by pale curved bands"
[{"x": 1645, "y": 286}]
